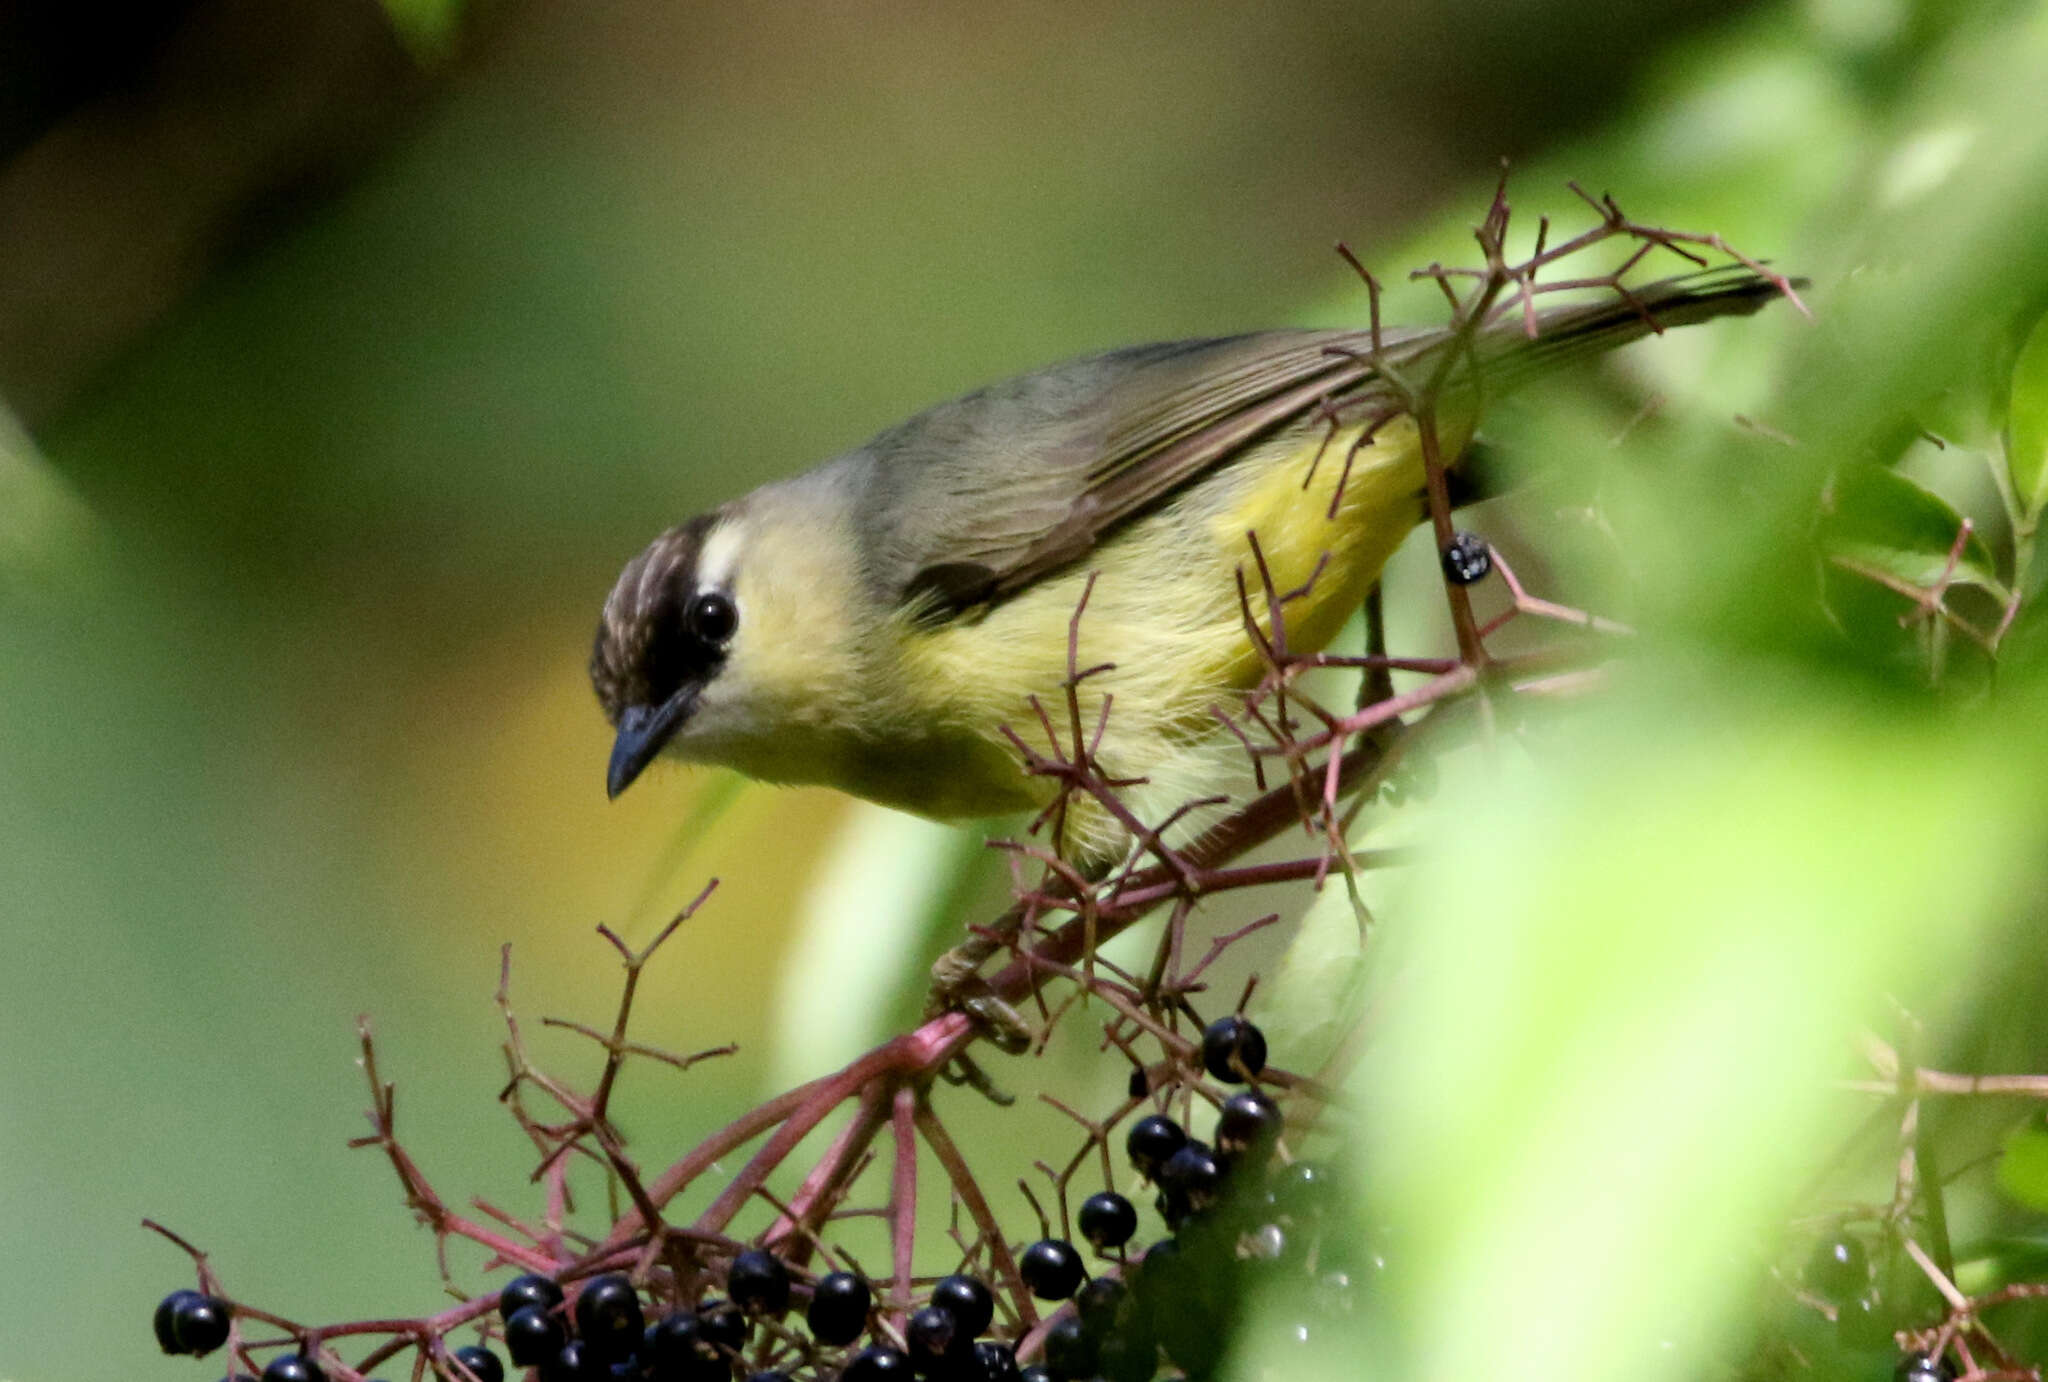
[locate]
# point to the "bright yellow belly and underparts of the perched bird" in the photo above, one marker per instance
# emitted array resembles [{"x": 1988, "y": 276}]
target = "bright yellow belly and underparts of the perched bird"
[{"x": 1166, "y": 617}]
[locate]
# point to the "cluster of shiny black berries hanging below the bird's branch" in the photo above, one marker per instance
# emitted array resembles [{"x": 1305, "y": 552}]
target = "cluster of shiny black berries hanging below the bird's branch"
[{"x": 1228, "y": 1209}]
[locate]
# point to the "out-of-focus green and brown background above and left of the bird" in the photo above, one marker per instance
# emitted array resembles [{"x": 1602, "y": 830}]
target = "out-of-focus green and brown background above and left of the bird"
[{"x": 349, "y": 349}]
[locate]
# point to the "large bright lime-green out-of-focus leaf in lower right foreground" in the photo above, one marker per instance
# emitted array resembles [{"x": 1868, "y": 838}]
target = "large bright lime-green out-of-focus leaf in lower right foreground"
[{"x": 1613, "y": 998}]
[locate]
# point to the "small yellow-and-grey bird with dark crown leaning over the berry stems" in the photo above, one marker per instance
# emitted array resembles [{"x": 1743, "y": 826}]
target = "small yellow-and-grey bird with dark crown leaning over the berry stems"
[{"x": 878, "y": 621}]
